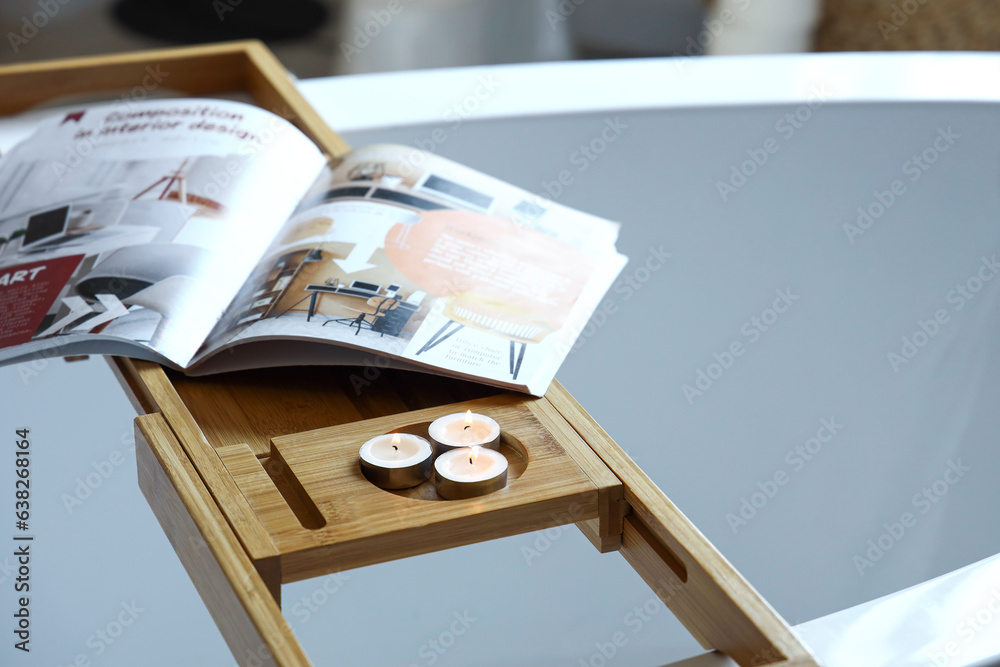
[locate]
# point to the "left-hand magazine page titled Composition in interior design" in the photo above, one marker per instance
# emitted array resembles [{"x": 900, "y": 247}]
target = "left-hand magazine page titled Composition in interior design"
[{"x": 138, "y": 222}]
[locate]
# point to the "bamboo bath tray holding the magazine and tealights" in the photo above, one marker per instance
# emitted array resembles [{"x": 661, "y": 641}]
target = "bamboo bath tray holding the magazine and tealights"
[{"x": 253, "y": 475}]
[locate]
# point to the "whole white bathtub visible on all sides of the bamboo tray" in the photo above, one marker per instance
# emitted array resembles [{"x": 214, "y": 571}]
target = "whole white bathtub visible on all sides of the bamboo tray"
[{"x": 670, "y": 131}]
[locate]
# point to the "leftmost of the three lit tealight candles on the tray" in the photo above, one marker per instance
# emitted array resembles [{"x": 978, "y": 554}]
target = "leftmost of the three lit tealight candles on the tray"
[{"x": 396, "y": 460}]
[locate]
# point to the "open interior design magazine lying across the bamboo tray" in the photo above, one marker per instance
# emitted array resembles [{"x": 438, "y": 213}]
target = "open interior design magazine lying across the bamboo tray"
[{"x": 210, "y": 236}]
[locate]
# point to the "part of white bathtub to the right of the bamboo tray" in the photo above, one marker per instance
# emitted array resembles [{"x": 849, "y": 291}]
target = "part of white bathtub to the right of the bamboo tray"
[{"x": 830, "y": 460}]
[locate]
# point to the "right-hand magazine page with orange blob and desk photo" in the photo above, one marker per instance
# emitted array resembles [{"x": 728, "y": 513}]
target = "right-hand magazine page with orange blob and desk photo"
[{"x": 416, "y": 258}]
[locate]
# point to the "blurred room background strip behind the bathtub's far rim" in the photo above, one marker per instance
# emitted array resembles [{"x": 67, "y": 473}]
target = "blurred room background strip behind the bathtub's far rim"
[{"x": 324, "y": 37}]
